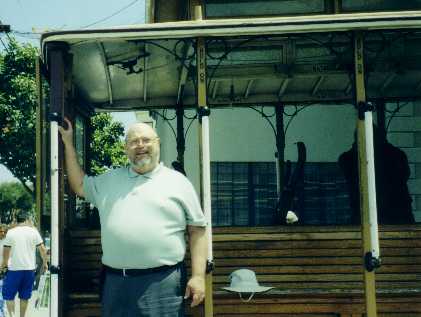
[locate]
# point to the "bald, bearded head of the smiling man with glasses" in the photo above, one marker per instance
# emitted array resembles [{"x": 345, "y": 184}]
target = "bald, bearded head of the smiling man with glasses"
[{"x": 142, "y": 148}]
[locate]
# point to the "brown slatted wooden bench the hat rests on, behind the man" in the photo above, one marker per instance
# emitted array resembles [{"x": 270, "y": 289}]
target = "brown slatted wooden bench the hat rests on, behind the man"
[{"x": 317, "y": 271}]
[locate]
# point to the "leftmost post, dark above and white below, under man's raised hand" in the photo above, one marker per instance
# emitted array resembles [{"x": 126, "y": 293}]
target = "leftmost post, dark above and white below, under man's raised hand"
[{"x": 57, "y": 97}]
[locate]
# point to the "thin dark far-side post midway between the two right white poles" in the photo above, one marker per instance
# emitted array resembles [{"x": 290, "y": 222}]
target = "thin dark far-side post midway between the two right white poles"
[{"x": 280, "y": 147}]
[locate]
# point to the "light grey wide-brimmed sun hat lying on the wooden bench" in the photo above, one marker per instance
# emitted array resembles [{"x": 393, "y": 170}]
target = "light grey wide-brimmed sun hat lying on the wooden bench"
[{"x": 245, "y": 281}]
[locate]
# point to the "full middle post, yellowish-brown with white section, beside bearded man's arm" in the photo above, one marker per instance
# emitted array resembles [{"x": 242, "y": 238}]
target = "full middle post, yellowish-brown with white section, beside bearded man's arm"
[{"x": 204, "y": 153}]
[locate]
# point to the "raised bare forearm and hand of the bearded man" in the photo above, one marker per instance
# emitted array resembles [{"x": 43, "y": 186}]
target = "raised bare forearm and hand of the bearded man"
[{"x": 75, "y": 173}]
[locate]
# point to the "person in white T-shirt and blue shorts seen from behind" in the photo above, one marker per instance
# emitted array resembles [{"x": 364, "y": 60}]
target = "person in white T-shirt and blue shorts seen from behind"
[{"x": 20, "y": 247}]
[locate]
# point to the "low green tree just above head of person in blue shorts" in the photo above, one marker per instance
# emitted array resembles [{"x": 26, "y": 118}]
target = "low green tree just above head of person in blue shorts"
[{"x": 13, "y": 197}]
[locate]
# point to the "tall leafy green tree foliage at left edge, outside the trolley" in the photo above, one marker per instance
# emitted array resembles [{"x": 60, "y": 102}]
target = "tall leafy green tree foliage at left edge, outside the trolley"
[{"x": 18, "y": 99}]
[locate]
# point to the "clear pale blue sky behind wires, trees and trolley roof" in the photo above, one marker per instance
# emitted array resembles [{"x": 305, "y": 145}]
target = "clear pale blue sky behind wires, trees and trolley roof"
[{"x": 29, "y": 17}]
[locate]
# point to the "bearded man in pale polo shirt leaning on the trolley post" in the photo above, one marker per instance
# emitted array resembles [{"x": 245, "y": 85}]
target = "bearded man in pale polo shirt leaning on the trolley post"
[{"x": 144, "y": 211}]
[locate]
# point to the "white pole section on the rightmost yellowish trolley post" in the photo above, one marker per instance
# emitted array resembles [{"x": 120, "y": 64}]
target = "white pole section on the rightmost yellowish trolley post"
[{"x": 371, "y": 178}]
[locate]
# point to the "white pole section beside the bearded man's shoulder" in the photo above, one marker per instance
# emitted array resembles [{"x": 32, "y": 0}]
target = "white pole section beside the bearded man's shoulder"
[{"x": 206, "y": 183}]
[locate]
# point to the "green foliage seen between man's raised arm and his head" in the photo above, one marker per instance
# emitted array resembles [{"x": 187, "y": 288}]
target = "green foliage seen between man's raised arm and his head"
[{"x": 107, "y": 147}]
